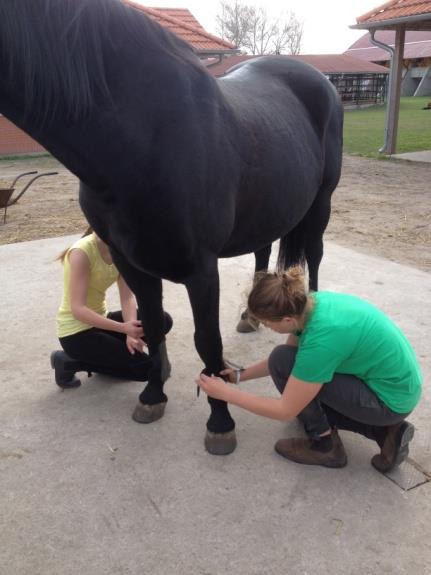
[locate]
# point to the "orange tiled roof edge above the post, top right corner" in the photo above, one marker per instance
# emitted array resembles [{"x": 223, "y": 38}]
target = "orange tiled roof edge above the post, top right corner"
[{"x": 413, "y": 12}]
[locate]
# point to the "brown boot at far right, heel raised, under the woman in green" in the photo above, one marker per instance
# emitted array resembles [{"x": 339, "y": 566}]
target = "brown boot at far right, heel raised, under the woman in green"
[{"x": 395, "y": 447}]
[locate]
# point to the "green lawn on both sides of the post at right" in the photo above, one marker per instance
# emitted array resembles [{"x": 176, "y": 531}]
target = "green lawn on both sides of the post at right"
[{"x": 364, "y": 128}]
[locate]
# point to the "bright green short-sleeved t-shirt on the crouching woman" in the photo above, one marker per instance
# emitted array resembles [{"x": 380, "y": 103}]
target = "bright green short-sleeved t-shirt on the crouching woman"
[{"x": 345, "y": 334}]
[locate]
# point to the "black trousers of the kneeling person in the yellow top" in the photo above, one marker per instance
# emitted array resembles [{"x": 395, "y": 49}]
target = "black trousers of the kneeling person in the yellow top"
[{"x": 105, "y": 351}]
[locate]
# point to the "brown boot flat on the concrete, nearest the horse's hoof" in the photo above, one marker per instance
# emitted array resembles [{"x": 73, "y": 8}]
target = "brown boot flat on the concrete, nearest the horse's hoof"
[{"x": 301, "y": 450}]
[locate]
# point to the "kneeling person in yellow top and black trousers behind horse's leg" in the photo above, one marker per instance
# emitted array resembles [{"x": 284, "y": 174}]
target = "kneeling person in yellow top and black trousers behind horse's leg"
[{"x": 93, "y": 339}]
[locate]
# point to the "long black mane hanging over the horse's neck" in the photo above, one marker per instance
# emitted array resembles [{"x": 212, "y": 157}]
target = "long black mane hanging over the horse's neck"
[{"x": 55, "y": 49}]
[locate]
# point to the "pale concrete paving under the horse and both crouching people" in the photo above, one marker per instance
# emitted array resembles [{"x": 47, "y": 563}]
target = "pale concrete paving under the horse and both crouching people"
[{"x": 84, "y": 489}]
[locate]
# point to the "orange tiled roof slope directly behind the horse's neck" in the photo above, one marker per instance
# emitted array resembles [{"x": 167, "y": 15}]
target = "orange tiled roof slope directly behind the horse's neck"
[{"x": 182, "y": 23}]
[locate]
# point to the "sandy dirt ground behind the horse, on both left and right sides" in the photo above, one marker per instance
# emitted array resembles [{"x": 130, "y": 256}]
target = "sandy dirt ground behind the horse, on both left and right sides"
[{"x": 380, "y": 207}]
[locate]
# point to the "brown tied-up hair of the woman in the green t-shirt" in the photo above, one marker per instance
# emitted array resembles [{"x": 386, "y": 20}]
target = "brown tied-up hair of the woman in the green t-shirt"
[{"x": 278, "y": 295}]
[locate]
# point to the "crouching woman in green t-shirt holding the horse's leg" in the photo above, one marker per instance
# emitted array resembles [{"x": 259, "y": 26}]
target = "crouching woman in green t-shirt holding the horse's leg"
[{"x": 345, "y": 365}]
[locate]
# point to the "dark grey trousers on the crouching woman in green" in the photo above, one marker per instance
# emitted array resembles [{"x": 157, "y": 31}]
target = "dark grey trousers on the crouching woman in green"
[{"x": 346, "y": 402}]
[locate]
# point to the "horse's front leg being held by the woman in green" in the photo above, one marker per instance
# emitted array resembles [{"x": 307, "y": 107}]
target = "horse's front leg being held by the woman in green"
[{"x": 204, "y": 292}]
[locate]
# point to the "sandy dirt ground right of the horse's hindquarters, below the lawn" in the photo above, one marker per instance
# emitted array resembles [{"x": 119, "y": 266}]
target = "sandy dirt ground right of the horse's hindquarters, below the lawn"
[{"x": 383, "y": 207}]
